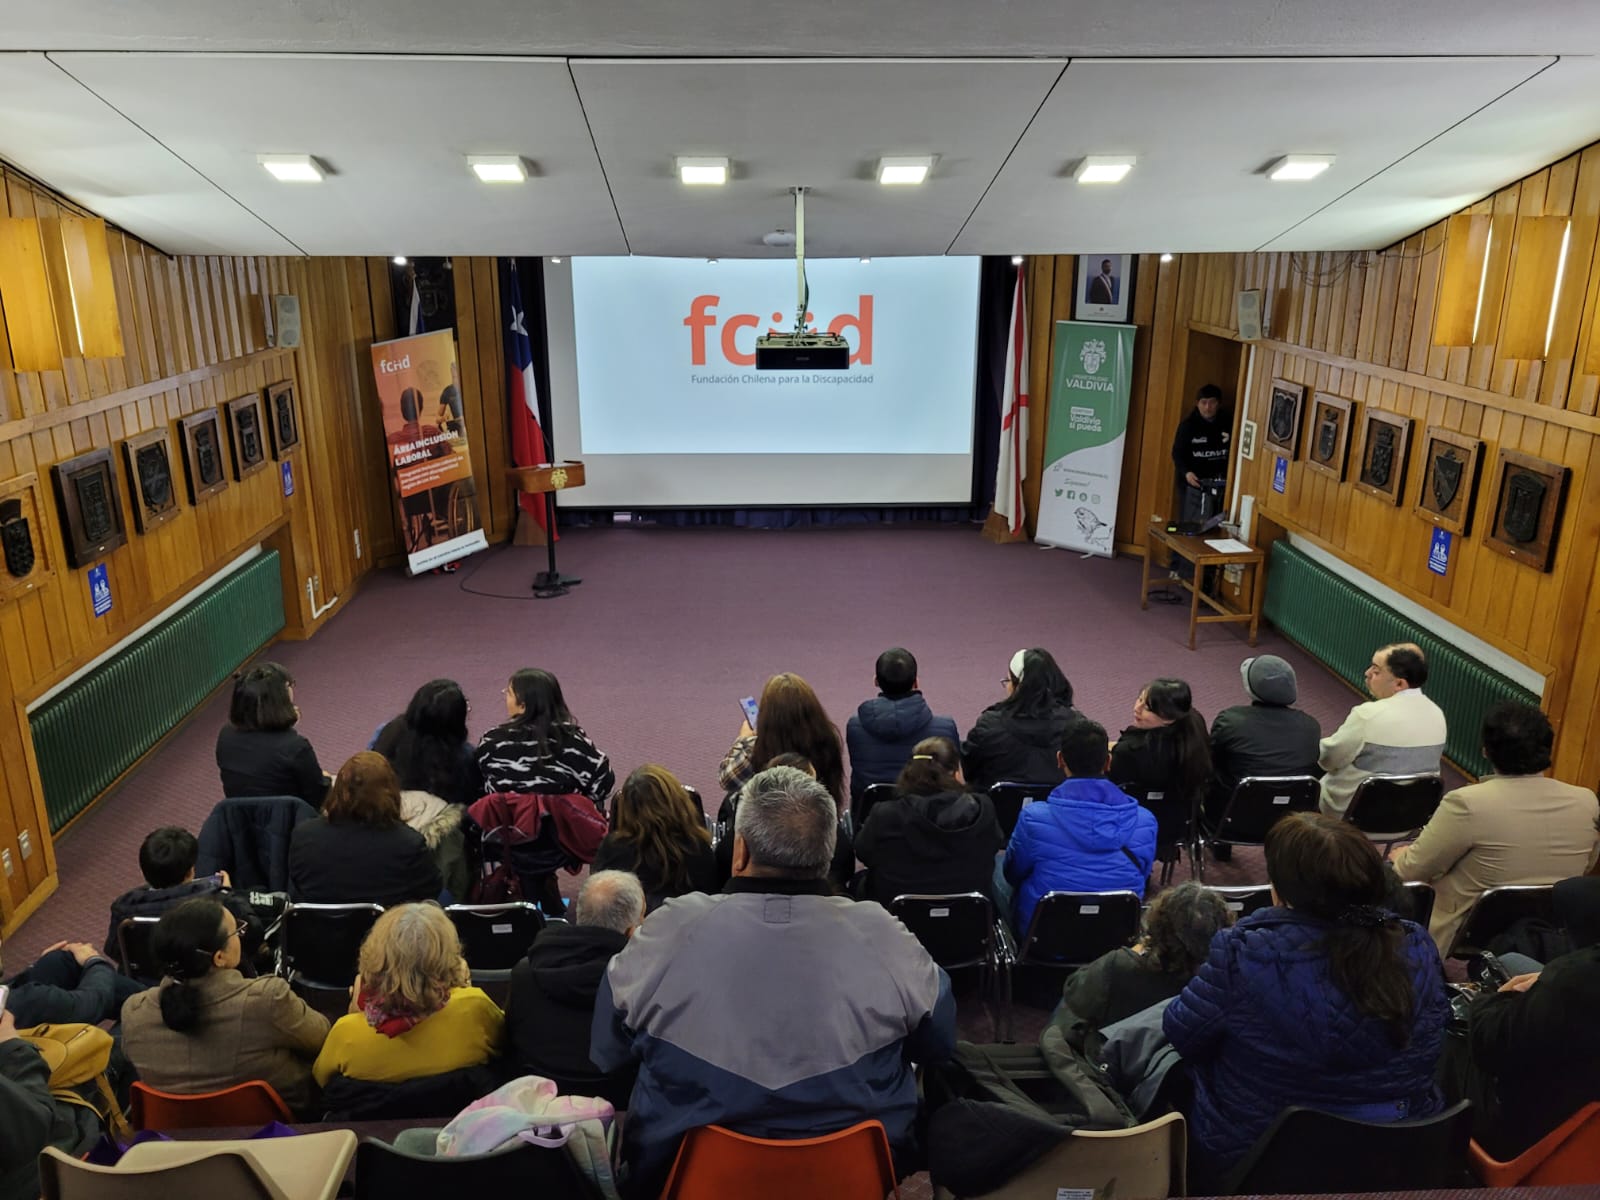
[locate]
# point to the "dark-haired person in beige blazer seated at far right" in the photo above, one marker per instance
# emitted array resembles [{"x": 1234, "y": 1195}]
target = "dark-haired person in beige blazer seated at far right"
[{"x": 1516, "y": 826}]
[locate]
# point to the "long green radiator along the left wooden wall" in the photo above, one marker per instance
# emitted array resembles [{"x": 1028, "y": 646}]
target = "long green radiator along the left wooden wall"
[{"x": 92, "y": 732}]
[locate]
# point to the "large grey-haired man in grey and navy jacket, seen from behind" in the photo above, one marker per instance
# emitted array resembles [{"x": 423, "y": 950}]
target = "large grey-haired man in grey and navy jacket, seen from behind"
[{"x": 774, "y": 1009}]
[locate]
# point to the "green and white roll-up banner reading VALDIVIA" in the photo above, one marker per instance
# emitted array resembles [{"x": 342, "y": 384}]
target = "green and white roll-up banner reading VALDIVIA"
[{"x": 1089, "y": 420}]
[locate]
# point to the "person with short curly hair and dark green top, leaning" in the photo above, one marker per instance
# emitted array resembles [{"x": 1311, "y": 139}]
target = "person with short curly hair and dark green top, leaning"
[{"x": 1175, "y": 938}]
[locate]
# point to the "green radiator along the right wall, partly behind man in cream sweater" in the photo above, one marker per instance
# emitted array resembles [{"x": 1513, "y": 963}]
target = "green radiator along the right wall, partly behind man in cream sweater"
[{"x": 1342, "y": 625}]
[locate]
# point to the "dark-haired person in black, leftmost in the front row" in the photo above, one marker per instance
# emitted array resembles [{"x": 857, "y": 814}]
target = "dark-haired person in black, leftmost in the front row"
[{"x": 258, "y": 751}]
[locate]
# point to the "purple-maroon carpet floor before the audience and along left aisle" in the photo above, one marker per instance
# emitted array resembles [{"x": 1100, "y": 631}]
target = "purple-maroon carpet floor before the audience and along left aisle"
[{"x": 670, "y": 630}]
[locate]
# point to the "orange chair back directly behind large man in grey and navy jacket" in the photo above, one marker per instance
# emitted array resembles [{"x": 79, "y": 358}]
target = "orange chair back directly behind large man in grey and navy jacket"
[{"x": 716, "y": 1164}]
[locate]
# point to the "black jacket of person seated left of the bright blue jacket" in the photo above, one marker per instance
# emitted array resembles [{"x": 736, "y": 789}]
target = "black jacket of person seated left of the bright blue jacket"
[{"x": 930, "y": 846}]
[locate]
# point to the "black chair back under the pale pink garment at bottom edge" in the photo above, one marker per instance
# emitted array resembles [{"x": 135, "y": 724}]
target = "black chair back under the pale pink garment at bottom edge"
[{"x": 385, "y": 1174}]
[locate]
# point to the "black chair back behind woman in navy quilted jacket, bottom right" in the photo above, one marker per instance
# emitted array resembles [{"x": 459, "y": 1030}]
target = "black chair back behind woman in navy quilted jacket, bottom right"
[{"x": 1316, "y": 1153}]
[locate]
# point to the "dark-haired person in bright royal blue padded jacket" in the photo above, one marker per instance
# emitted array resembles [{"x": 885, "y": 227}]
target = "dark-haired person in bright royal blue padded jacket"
[{"x": 1089, "y": 836}]
